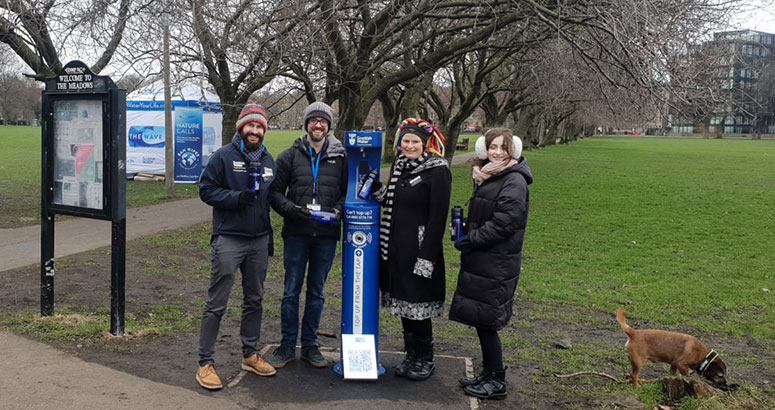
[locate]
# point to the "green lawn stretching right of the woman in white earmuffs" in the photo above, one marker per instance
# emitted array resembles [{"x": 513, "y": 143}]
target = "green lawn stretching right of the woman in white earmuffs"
[{"x": 675, "y": 230}]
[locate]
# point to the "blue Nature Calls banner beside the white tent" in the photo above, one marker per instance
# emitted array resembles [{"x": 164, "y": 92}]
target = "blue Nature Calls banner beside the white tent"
[{"x": 188, "y": 144}]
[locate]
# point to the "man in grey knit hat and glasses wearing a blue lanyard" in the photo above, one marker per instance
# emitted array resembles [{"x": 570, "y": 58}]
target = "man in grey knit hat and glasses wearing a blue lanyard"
[{"x": 309, "y": 193}]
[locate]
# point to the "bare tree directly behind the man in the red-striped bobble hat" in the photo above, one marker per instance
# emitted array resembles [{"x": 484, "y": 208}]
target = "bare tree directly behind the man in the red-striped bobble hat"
[{"x": 241, "y": 47}]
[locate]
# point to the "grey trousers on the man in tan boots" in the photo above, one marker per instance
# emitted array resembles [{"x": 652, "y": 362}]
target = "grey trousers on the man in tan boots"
[{"x": 228, "y": 253}]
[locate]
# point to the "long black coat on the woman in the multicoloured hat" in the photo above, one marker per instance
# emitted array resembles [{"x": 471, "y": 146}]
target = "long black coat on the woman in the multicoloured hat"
[{"x": 420, "y": 203}]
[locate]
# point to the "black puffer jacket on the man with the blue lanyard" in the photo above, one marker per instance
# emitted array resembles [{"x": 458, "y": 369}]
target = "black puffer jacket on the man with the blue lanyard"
[{"x": 294, "y": 185}]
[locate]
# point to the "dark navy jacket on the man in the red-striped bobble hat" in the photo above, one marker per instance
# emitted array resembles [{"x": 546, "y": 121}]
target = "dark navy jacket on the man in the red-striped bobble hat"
[{"x": 220, "y": 185}]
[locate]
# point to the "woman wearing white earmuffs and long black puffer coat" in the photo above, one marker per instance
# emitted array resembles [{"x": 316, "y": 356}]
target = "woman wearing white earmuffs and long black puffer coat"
[{"x": 491, "y": 253}]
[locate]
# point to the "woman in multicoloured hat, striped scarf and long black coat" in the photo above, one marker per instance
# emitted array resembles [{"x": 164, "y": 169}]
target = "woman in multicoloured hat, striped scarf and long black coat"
[{"x": 412, "y": 277}]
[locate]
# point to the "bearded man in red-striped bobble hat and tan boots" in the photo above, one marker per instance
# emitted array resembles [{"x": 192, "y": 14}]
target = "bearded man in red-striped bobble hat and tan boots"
[{"x": 236, "y": 184}]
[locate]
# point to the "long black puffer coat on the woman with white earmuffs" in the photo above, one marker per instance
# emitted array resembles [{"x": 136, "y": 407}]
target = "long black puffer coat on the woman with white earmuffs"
[{"x": 497, "y": 216}]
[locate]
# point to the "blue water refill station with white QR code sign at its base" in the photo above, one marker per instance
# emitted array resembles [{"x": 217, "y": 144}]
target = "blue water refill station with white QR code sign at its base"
[{"x": 360, "y": 257}]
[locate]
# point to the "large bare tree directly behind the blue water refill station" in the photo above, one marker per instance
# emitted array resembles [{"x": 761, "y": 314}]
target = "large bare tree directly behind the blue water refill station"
[{"x": 365, "y": 43}]
